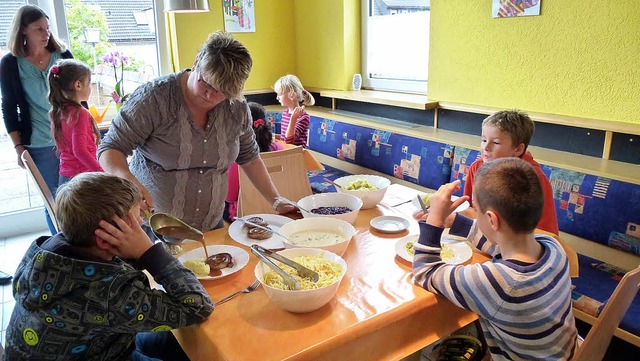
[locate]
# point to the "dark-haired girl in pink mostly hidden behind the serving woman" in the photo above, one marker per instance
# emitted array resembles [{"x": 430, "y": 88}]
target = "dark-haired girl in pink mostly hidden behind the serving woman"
[{"x": 264, "y": 138}]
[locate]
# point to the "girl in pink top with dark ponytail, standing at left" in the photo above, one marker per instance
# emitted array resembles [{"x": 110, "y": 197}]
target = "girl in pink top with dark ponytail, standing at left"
[{"x": 74, "y": 130}]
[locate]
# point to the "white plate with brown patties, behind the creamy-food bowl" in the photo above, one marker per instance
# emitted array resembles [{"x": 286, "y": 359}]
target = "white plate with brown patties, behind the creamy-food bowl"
[{"x": 249, "y": 235}]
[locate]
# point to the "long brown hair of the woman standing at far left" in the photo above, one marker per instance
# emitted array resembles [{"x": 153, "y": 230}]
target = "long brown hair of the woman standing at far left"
[{"x": 17, "y": 41}]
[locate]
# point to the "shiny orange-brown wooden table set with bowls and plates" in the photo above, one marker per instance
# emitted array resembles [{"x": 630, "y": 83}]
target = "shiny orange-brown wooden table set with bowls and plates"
[{"x": 377, "y": 314}]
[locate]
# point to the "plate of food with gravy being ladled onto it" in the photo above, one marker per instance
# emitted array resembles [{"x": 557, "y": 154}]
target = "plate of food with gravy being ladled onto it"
[{"x": 223, "y": 260}]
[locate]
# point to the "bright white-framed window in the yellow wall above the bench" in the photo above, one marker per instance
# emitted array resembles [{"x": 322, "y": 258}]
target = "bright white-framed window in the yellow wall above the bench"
[{"x": 395, "y": 44}]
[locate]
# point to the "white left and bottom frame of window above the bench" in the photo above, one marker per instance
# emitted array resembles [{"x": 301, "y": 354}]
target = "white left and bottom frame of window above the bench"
[{"x": 406, "y": 86}]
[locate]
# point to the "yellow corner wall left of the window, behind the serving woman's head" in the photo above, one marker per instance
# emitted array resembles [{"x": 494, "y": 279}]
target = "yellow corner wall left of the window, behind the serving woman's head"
[{"x": 319, "y": 41}]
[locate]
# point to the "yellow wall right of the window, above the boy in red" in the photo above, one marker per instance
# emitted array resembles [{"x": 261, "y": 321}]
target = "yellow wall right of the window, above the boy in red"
[{"x": 579, "y": 58}]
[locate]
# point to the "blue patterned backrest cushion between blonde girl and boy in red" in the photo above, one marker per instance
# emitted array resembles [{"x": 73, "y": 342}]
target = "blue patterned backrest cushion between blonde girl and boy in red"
[{"x": 419, "y": 161}]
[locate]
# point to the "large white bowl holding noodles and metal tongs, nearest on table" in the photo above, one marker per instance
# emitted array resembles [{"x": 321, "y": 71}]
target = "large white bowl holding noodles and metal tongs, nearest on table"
[{"x": 302, "y": 301}]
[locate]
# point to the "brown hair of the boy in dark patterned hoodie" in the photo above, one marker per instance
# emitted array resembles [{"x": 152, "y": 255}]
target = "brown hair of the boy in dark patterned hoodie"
[{"x": 89, "y": 198}]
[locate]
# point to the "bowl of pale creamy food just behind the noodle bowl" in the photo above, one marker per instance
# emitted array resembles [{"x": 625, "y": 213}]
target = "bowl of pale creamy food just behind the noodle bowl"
[{"x": 330, "y": 234}]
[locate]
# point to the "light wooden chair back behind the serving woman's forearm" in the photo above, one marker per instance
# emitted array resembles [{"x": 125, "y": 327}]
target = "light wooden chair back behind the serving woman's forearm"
[{"x": 289, "y": 175}]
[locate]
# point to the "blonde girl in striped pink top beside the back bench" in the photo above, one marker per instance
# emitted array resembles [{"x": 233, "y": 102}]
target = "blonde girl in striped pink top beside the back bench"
[{"x": 294, "y": 127}]
